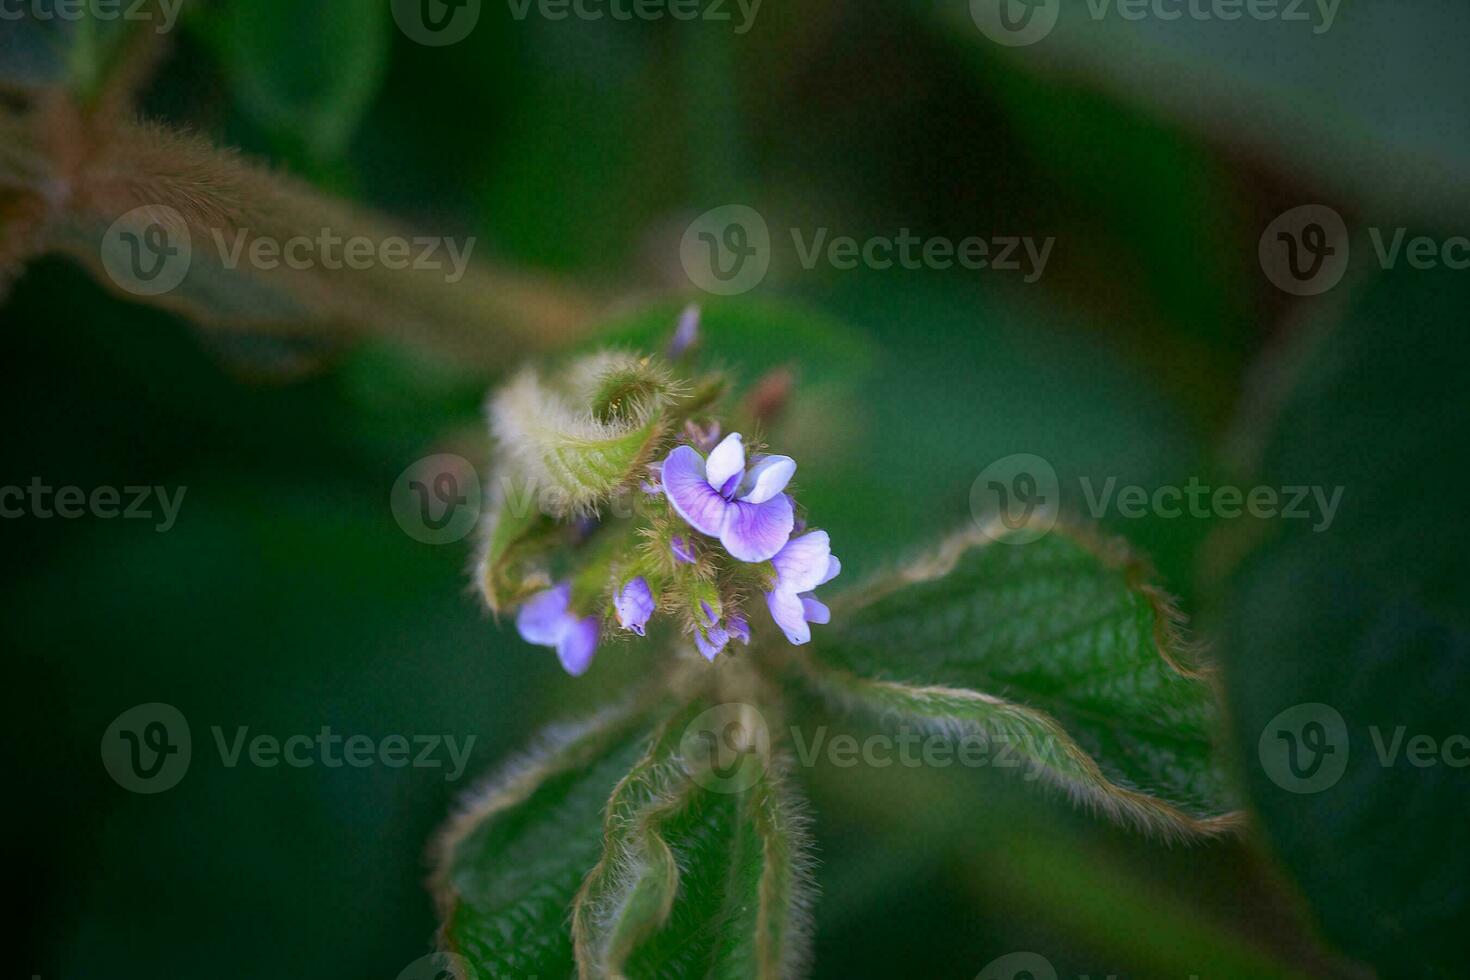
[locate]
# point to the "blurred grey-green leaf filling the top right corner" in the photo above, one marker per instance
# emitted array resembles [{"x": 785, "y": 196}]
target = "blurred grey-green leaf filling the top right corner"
[{"x": 1322, "y": 101}]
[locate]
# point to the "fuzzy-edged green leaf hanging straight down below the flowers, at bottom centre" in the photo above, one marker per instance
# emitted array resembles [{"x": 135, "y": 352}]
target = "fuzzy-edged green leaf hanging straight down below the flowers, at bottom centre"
[{"x": 705, "y": 871}]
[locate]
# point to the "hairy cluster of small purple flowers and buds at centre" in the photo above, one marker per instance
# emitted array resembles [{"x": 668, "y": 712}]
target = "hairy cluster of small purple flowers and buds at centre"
[{"x": 703, "y": 524}]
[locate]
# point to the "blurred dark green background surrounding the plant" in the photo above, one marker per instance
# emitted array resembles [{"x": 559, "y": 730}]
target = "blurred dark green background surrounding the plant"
[{"x": 1153, "y": 350}]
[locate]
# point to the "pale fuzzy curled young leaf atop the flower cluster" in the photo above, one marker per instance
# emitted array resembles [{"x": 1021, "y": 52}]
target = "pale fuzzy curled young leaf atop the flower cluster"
[{"x": 567, "y": 446}]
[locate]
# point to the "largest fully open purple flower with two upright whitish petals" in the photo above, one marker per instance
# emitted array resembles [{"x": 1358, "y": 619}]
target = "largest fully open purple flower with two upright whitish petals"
[{"x": 720, "y": 497}]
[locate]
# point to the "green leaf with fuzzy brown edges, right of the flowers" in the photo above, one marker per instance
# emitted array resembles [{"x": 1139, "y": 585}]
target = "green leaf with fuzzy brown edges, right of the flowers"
[{"x": 1058, "y": 655}]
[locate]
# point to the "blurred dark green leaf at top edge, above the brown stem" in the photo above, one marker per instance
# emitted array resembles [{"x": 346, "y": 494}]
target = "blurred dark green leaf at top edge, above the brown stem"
[{"x": 306, "y": 73}]
